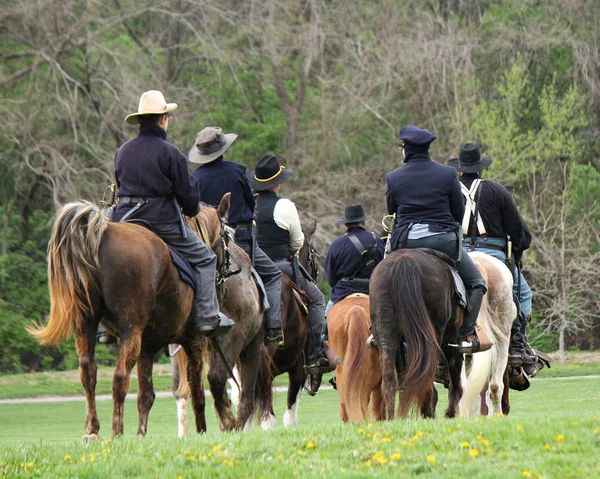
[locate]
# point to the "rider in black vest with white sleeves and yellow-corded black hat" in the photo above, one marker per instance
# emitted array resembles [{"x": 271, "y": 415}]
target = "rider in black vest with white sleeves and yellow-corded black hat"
[{"x": 280, "y": 236}]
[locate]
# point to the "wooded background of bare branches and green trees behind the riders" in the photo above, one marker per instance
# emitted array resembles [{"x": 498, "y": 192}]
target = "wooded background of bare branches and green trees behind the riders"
[{"x": 325, "y": 85}]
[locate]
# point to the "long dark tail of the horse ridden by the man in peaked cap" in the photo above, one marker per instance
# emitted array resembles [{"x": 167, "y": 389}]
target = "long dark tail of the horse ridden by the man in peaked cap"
[{"x": 418, "y": 331}]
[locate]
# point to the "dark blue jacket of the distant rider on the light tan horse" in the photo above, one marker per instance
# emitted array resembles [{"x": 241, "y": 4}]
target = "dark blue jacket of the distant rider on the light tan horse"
[{"x": 343, "y": 259}]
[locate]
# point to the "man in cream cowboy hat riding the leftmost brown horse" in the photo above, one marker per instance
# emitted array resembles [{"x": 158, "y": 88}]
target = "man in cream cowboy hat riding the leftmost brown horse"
[{"x": 153, "y": 183}]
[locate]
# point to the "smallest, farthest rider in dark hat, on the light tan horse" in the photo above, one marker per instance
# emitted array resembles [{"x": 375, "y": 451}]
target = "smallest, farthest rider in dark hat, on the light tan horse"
[{"x": 352, "y": 256}]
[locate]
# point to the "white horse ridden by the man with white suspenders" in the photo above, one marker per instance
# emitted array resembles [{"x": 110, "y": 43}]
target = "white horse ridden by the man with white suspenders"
[{"x": 485, "y": 374}]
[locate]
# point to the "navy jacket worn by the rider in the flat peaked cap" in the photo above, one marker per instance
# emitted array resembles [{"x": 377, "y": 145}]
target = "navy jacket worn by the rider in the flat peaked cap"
[{"x": 423, "y": 191}]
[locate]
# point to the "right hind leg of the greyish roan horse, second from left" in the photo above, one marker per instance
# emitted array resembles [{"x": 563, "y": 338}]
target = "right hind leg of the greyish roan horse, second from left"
[{"x": 250, "y": 358}]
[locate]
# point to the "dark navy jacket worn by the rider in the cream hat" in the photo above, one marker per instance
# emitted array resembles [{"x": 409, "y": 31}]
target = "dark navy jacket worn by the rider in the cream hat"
[{"x": 150, "y": 167}]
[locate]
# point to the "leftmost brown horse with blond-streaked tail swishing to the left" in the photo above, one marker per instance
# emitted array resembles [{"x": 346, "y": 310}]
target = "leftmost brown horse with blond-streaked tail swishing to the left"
[{"x": 100, "y": 271}]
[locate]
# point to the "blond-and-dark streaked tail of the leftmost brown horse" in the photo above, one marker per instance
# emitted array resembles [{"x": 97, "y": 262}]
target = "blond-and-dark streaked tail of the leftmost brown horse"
[{"x": 73, "y": 269}]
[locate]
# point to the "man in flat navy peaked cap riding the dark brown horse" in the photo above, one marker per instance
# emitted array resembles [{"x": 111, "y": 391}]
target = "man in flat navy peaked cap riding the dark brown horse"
[{"x": 428, "y": 203}]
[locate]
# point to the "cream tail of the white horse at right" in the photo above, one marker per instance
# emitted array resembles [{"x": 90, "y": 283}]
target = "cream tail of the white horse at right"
[{"x": 481, "y": 364}]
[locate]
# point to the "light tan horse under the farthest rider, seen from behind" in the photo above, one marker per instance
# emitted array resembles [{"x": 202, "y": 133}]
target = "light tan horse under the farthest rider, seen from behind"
[{"x": 358, "y": 376}]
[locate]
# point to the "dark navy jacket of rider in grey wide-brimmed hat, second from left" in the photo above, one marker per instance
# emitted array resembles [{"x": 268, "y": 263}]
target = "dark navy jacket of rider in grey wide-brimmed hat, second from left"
[{"x": 219, "y": 177}]
